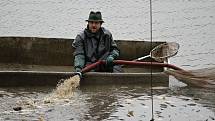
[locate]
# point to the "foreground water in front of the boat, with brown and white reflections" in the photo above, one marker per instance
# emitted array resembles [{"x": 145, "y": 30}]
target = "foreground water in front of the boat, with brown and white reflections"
[{"x": 112, "y": 102}]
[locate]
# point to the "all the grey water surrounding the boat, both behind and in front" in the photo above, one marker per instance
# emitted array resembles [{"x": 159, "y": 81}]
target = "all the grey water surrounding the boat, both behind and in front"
[{"x": 191, "y": 23}]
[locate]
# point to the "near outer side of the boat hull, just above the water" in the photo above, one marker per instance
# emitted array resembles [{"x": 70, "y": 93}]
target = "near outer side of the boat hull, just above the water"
[{"x": 42, "y": 78}]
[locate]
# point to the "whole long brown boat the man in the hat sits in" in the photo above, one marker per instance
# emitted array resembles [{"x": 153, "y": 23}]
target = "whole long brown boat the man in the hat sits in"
[{"x": 38, "y": 61}]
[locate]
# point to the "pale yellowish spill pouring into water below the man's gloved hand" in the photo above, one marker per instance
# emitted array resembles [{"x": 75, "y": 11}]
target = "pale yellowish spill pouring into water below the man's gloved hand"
[{"x": 63, "y": 93}]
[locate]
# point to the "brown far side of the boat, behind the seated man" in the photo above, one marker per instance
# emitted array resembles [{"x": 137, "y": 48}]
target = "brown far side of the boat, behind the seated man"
[{"x": 58, "y": 51}]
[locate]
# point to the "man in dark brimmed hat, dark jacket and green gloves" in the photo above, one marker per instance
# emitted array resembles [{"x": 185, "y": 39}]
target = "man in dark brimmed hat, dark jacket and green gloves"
[{"x": 95, "y": 43}]
